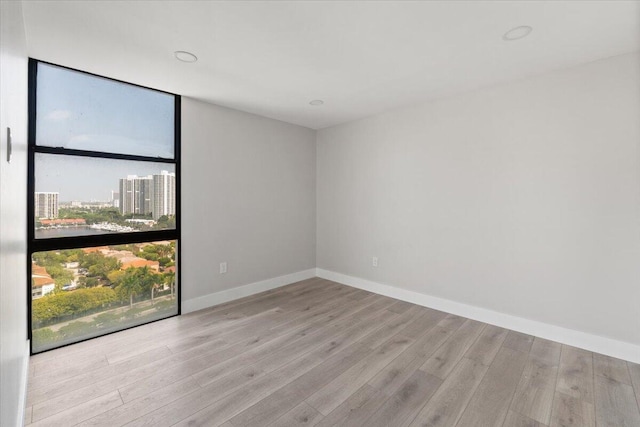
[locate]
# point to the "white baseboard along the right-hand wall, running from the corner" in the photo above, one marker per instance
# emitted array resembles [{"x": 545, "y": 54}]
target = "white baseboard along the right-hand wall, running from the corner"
[{"x": 595, "y": 343}]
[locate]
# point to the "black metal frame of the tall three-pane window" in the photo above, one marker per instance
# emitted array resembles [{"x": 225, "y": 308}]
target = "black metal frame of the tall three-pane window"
[{"x": 77, "y": 242}]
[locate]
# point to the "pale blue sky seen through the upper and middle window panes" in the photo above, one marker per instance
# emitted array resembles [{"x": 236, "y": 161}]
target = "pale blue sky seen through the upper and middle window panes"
[{"x": 80, "y": 111}]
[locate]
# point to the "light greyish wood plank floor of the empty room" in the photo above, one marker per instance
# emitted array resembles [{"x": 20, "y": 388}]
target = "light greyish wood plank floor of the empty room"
[{"x": 320, "y": 353}]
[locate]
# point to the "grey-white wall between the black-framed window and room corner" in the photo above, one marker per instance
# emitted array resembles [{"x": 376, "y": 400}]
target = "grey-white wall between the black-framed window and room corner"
[{"x": 248, "y": 197}]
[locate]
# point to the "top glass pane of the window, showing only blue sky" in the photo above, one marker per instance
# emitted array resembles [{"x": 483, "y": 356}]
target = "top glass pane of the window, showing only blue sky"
[{"x": 85, "y": 112}]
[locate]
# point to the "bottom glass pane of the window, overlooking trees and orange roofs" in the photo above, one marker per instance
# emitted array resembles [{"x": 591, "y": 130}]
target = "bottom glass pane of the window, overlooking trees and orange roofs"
[{"x": 82, "y": 293}]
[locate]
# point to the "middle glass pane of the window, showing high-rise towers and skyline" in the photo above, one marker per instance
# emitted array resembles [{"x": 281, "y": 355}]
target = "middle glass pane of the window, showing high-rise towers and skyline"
[{"x": 78, "y": 196}]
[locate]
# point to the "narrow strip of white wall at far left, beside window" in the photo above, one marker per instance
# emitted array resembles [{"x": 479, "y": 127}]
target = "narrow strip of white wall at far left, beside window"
[{"x": 13, "y": 216}]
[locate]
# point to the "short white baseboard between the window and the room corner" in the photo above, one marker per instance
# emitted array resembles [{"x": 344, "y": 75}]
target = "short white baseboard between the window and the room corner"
[{"x": 216, "y": 298}]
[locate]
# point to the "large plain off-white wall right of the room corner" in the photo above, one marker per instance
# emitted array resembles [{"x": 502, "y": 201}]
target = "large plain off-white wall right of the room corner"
[{"x": 523, "y": 199}]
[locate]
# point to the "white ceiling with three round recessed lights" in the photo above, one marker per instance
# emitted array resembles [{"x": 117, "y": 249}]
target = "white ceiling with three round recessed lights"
[{"x": 361, "y": 58}]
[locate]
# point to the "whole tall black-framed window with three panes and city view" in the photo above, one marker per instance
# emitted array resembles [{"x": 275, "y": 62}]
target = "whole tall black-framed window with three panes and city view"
[{"x": 103, "y": 203}]
